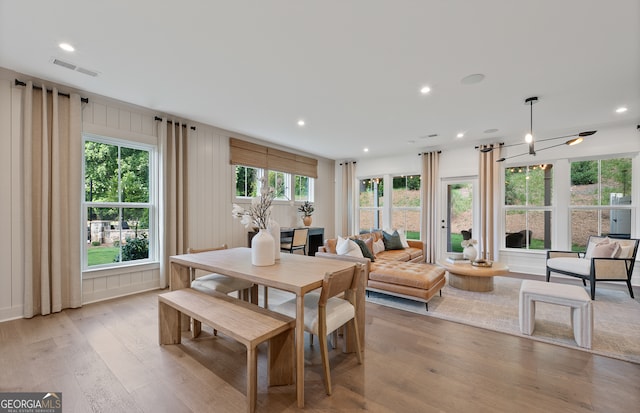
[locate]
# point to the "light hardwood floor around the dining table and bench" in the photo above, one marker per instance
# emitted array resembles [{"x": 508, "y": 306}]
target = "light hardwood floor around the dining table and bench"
[{"x": 105, "y": 357}]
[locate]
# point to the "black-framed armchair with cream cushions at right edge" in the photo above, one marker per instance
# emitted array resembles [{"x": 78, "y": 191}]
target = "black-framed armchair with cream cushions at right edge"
[{"x": 606, "y": 259}]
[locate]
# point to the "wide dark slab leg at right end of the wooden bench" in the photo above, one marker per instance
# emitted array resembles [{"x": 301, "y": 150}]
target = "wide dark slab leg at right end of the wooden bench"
[{"x": 281, "y": 359}]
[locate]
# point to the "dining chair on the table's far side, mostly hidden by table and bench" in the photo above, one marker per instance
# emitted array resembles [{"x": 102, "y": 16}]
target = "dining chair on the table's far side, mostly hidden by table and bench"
[{"x": 219, "y": 283}]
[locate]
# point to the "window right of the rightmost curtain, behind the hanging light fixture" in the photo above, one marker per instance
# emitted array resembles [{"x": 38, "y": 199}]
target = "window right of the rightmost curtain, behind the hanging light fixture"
[{"x": 528, "y": 217}]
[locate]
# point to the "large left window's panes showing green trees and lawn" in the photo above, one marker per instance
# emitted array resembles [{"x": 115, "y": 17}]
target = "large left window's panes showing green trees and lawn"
[{"x": 119, "y": 206}]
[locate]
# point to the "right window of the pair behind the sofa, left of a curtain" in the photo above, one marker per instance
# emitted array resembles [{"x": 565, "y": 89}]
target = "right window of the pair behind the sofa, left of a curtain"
[{"x": 405, "y": 208}]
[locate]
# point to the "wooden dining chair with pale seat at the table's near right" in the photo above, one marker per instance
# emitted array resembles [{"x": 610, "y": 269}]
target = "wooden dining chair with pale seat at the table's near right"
[{"x": 328, "y": 310}]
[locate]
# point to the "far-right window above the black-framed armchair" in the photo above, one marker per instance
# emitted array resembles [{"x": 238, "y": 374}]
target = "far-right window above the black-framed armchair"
[{"x": 600, "y": 199}]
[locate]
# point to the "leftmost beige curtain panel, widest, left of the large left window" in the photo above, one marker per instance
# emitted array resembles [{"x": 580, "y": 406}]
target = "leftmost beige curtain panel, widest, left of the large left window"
[{"x": 52, "y": 162}]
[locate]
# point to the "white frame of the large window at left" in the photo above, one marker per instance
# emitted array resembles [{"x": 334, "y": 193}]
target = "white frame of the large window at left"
[{"x": 152, "y": 205}]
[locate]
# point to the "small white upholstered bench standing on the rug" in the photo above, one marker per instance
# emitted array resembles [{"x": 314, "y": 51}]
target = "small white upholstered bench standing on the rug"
[{"x": 567, "y": 295}]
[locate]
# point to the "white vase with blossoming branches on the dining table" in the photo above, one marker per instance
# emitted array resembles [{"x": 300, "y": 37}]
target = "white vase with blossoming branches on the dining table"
[{"x": 259, "y": 215}]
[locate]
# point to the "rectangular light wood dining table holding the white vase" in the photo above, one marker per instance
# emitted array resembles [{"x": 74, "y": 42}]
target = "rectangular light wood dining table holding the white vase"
[{"x": 298, "y": 274}]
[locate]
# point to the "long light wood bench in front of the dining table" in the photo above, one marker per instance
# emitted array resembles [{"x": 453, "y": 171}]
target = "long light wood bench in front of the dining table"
[{"x": 242, "y": 321}]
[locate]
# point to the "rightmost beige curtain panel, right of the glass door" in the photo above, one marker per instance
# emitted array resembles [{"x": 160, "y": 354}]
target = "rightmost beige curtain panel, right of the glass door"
[{"x": 489, "y": 242}]
